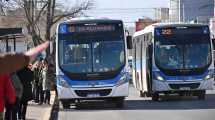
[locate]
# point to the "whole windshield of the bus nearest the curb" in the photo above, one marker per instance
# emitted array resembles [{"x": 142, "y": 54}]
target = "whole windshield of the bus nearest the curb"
[{"x": 92, "y": 56}]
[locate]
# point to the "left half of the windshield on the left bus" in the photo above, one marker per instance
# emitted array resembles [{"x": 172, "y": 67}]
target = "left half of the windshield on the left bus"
[{"x": 76, "y": 56}]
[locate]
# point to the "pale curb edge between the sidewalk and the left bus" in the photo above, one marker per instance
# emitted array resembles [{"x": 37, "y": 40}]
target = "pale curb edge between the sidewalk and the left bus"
[{"x": 48, "y": 112}]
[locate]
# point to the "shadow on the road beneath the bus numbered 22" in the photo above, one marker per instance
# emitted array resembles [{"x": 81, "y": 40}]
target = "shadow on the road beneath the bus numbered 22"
[{"x": 172, "y": 104}]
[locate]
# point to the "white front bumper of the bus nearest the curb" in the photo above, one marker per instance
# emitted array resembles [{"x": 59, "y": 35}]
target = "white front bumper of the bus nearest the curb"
[{"x": 92, "y": 93}]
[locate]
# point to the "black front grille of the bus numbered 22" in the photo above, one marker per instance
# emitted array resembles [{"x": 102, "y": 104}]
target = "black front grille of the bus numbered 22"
[{"x": 189, "y": 85}]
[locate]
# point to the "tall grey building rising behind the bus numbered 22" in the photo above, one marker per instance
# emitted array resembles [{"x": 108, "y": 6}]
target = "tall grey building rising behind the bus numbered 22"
[{"x": 191, "y": 10}]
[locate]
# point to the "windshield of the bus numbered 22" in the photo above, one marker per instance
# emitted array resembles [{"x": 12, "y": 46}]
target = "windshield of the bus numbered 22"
[{"x": 183, "y": 51}]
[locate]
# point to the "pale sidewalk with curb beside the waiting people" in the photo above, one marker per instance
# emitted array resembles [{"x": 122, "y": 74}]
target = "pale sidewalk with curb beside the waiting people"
[{"x": 40, "y": 112}]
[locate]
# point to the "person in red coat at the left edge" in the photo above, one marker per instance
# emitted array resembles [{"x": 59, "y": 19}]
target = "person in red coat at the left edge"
[{"x": 7, "y": 93}]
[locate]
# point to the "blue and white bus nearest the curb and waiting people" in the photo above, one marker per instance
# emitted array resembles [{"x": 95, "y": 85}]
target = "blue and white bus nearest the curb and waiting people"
[{"x": 91, "y": 61}]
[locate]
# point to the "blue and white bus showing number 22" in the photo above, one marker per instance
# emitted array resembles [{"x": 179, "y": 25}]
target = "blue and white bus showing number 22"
[{"x": 173, "y": 59}]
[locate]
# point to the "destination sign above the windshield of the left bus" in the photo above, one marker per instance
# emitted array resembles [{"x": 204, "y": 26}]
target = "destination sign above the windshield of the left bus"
[{"x": 93, "y": 28}]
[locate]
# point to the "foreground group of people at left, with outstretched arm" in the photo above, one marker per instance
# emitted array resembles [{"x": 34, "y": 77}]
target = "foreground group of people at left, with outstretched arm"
[{"x": 16, "y": 78}]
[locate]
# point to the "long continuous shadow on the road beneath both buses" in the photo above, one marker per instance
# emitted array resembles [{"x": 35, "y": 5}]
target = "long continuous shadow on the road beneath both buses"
[{"x": 171, "y": 103}]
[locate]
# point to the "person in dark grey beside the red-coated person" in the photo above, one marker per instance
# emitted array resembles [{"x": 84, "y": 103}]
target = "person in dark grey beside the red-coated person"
[{"x": 12, "y": 110}]
